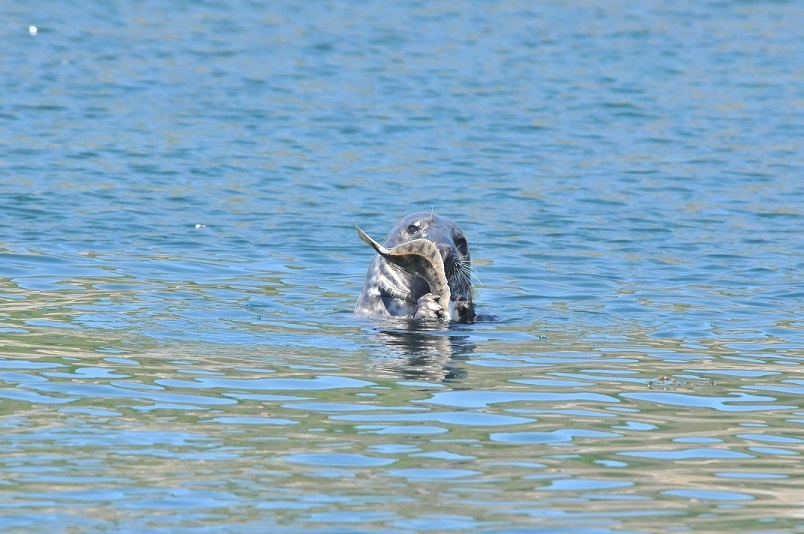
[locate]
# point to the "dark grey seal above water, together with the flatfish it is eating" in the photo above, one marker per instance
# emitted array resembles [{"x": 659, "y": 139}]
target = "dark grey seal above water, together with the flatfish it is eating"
[{"x": 422, "y": 270}]
